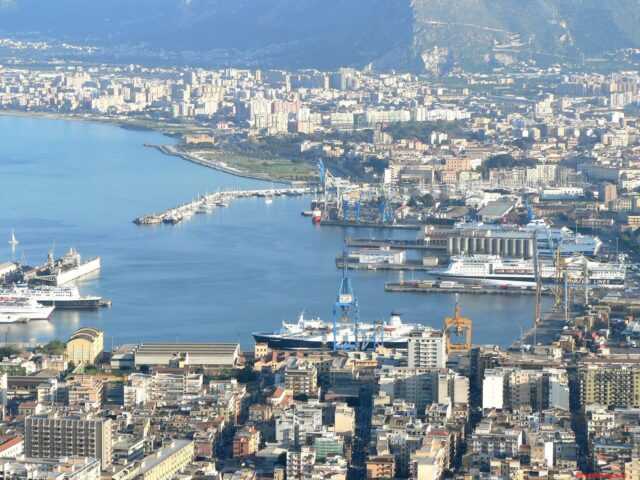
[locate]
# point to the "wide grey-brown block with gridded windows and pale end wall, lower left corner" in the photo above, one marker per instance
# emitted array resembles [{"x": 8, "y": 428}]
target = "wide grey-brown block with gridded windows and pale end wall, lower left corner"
[{"x": 56, "y": 437}]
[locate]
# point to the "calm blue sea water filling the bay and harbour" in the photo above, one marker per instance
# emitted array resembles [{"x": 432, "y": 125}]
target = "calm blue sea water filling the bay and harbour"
[{"x": 215, "y": 277}]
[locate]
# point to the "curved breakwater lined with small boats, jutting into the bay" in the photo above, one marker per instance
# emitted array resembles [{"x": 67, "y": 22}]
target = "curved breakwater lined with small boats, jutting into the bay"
[{"x": 207, "y": 203}]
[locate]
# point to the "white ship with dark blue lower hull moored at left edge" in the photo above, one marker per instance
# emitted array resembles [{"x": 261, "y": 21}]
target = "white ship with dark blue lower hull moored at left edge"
[{"x": 66, "y": 297}]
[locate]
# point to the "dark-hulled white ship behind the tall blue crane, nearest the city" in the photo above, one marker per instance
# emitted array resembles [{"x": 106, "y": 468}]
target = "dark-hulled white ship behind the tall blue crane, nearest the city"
[{"x": 318, "y": 334}]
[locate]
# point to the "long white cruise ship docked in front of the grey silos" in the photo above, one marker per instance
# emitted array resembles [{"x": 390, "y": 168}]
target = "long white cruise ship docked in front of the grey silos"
[{"x": 498, "y": 271}]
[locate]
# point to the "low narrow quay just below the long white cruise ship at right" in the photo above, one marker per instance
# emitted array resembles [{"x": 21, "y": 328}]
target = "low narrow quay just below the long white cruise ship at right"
[{"x": 422, "y": 286}]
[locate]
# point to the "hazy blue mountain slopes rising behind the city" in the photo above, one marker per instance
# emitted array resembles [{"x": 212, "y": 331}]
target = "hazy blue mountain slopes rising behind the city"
[{"x": 331, "y": 33}]
